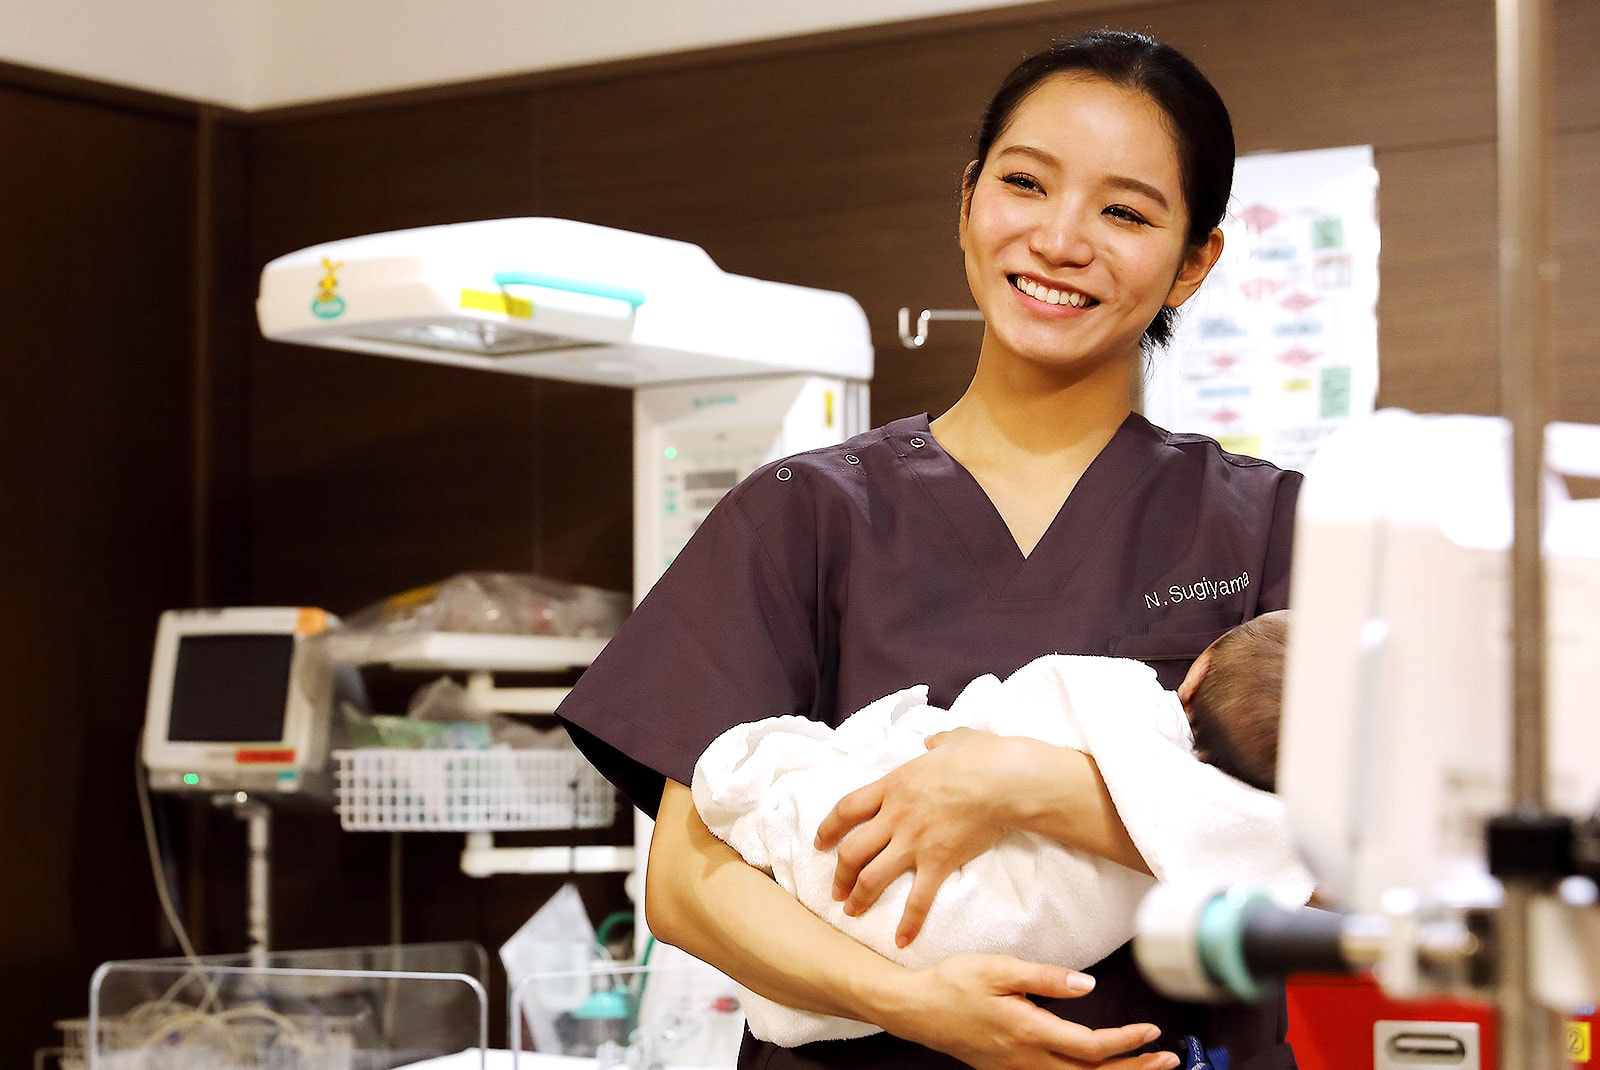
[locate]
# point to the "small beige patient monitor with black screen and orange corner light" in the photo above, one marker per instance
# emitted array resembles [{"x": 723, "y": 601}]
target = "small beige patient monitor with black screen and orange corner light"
[{"x": 241, "y": 701}]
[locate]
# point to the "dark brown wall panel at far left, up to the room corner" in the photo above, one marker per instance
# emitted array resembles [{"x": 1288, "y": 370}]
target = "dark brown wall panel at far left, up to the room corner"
[{"x": 95, "y": 484}]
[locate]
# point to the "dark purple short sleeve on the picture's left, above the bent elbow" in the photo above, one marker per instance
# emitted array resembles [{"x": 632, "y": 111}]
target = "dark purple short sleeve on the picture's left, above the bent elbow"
[{"x": 726, "y": 637}]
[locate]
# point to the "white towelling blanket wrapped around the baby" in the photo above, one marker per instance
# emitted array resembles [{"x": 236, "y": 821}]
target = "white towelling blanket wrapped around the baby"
[{"x": 766, "y": 788}]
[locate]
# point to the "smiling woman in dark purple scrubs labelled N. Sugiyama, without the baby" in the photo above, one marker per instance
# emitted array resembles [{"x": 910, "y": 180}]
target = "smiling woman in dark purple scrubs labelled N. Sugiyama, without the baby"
[{"x": 1036, "y": 516}]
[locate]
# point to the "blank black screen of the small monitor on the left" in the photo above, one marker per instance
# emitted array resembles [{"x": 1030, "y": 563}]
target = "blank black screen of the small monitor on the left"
[{"x": 231, "y": 689}]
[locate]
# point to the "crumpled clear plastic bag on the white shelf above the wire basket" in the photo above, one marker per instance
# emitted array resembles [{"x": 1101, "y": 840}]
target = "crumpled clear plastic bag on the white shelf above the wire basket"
[{"x": 498, "y": 604}]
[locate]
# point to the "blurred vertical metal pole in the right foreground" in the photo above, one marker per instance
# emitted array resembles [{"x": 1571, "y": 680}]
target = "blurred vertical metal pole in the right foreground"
[{"x": 1529, "y": 1034}]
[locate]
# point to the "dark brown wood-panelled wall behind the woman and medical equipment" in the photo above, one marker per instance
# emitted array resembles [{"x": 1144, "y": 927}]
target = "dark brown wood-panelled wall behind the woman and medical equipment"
[{"x": 132, "y": 236}]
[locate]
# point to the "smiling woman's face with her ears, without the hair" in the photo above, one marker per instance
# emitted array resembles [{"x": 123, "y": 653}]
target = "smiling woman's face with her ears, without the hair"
[{"x": 1079, "y": 209}]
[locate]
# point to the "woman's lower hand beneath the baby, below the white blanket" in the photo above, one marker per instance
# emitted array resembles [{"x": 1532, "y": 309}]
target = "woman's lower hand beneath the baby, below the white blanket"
[{"x": 977, "y": 1008}]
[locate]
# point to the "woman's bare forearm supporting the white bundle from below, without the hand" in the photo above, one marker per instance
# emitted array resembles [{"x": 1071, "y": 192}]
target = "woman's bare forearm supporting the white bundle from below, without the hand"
[{"x": 702, "y": 896}]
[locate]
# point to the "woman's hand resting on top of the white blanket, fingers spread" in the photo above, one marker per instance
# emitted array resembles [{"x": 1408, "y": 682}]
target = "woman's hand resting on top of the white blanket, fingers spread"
[{"x": 930, "y": 816}]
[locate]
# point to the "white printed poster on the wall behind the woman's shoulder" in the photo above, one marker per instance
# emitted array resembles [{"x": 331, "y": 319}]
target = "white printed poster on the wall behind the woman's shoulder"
[{"x": 1281, "y": 345}]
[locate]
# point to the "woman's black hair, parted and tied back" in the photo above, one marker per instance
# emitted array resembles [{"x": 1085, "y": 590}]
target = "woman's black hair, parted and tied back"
[{"x": 1193, "y": 106}]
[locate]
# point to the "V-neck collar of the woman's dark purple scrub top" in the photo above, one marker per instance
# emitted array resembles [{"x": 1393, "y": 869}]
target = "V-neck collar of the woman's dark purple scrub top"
[{"x": 978, "y": 527}]
